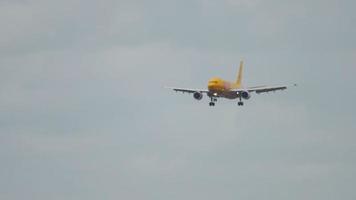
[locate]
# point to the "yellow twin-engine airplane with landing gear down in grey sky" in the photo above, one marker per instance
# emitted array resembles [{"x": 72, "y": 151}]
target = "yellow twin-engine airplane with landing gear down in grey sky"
[{"x": 219, "y": 88}]
